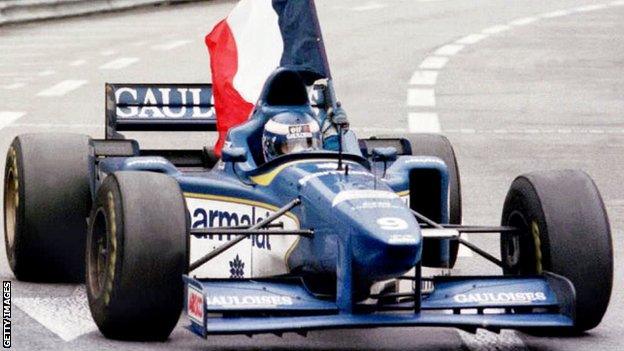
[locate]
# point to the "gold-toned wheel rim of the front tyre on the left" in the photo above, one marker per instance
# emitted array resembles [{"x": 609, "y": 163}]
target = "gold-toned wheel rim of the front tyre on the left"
[{"x": 98, "y": 253}]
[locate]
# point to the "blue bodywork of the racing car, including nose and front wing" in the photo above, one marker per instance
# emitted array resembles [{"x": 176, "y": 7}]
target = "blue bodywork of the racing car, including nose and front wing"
[{"x": 364, "y": 232}]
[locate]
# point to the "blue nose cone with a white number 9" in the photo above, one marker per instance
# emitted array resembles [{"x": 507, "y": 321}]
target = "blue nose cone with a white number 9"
[{"x": 385, "y": 236}]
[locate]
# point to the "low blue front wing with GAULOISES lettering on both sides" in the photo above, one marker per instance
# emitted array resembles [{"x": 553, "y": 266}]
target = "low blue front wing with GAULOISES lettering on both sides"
[{"x": 277, "y": 305}]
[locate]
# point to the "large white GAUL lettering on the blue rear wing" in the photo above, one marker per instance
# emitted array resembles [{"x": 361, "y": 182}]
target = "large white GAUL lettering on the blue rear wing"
[{"x": 156, "y": 103}]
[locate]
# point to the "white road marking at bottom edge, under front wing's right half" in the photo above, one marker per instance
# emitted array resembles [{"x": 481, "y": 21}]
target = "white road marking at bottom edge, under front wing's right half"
[{"x": 486, "y": 340}]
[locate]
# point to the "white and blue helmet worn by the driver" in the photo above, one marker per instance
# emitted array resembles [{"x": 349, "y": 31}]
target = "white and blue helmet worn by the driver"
[{"x": 290, "y": 132}]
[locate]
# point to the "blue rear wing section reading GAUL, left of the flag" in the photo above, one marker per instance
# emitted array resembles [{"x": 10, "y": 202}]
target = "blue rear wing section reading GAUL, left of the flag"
[{"x": 159, "y": 107}]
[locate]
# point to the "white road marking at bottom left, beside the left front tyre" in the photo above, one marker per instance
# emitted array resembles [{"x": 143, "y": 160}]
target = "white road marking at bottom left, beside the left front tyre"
[{"x": 68, "y": 317}]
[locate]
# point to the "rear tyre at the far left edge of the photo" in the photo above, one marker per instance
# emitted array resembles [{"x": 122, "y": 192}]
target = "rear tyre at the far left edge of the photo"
[{"x": 47, "y": 197}]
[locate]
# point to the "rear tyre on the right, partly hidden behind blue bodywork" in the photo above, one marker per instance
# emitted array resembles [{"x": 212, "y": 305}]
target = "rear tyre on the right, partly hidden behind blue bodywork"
[{"x": 439, "y": 146}]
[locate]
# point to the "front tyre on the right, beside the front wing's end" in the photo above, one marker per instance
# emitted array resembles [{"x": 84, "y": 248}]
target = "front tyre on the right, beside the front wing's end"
[{"x": 564, "y": 229}]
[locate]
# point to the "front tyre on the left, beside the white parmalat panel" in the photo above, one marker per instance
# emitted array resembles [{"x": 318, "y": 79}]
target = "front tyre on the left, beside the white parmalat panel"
[{"x": 137, "y": 252}]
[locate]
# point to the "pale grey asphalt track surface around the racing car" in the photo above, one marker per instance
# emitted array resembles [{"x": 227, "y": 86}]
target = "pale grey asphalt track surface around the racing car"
[{"x": 545, "y": 93}]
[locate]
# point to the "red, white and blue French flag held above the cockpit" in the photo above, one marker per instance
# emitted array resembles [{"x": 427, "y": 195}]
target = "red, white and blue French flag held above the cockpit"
[{"x": 246, "y": 47}]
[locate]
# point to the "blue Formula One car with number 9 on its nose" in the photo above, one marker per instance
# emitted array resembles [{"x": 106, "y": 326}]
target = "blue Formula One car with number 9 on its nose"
[{"x": 306, "y": 241}]
